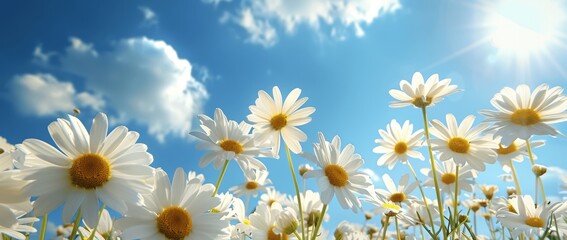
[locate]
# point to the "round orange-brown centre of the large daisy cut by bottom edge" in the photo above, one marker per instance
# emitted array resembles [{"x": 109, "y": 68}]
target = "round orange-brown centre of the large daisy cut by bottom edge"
[{"x": 175, "y": 223}]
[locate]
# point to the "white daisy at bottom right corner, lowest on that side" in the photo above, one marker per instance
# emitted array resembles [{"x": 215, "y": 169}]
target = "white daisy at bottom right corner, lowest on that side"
[{"x": 528, "y": 219}]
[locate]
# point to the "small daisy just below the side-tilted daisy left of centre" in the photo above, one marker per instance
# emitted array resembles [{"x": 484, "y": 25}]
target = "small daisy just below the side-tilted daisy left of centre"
[{"x": 256, "y": 182}]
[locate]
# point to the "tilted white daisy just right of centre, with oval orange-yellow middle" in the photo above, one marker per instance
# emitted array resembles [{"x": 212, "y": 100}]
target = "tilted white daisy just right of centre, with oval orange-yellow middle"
[{"x": 339, "y": 173}]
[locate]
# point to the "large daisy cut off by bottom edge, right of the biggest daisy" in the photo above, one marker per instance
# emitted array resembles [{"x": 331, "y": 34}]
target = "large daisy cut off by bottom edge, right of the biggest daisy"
[{"x": 179, "y": 210}]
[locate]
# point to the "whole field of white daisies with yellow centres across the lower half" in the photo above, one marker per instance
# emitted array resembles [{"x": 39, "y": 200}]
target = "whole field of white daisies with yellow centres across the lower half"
[{"x": 89, "y": 172}]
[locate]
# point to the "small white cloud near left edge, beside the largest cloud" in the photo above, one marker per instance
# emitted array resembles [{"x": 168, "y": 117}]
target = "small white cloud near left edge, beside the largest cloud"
[{"x": 44, "y": 95}]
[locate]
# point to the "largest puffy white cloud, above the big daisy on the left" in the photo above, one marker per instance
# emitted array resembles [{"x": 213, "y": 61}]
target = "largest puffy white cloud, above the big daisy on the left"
[{"x": 142, "y": 81}]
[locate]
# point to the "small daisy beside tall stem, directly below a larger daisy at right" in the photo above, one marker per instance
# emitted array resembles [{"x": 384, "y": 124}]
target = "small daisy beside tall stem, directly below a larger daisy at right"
[{"x": 447, "y": 176}]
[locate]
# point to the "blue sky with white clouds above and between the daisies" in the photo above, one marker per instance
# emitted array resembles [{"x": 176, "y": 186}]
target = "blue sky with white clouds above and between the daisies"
[{"x": 122, "y": 57}]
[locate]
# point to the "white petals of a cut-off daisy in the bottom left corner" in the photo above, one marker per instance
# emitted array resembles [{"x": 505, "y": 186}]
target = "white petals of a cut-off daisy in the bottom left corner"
[{"x": 13, "y": 223}]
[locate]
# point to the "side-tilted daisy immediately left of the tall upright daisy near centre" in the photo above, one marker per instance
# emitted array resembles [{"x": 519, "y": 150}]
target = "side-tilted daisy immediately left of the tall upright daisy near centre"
[{"x": 226, "y": 140}]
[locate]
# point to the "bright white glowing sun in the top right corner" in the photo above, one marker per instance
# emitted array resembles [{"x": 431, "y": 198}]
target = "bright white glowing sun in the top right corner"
[{"x": 525, "y": 27}]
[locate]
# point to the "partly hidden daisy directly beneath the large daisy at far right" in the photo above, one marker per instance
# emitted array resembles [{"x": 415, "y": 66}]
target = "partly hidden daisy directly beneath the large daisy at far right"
[{"x": 514, "y": 152}]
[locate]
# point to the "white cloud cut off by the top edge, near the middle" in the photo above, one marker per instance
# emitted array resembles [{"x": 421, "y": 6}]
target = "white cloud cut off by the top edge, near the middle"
[{"x": 258, "y": 18}]
